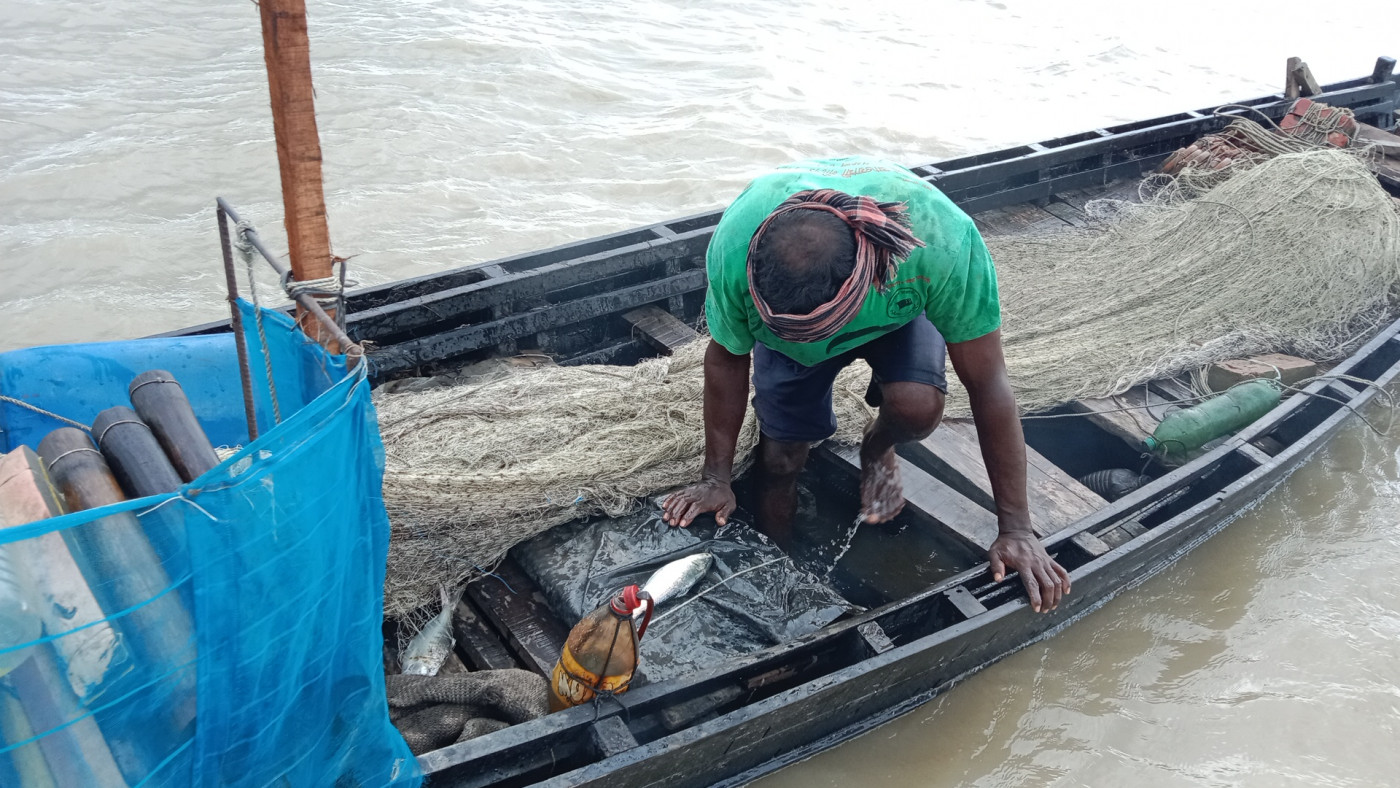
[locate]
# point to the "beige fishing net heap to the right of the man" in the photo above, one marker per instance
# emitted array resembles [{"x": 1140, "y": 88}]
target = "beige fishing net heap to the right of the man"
[{"x": 1298, "y": 254}]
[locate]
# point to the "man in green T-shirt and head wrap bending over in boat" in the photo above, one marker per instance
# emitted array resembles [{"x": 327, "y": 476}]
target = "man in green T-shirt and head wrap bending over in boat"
[{"x": 828, "y": 261}]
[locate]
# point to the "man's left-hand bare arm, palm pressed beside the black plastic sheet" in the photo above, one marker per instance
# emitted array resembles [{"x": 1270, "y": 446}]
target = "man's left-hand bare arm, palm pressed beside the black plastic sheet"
[{"x": 726, "y": 400}]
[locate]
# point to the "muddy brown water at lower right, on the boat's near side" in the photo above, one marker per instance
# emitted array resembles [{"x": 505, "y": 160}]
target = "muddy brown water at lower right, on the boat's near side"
[{"x": 1268, "y": 657}]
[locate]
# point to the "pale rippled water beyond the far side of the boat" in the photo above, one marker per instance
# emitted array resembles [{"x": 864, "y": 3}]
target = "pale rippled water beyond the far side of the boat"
[{"x": 460, "y": 132}]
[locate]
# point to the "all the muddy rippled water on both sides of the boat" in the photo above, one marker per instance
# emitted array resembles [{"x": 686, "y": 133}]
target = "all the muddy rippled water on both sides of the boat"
[{"x": 458, "y": 132}]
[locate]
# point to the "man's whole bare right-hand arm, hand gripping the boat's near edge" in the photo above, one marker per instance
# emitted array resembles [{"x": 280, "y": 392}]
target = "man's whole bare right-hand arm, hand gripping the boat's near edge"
[{"x": 983, "y": 372}]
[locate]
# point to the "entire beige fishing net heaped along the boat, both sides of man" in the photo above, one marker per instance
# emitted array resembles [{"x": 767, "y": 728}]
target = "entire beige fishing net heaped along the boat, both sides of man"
[{"x": 1294, "y": 253}]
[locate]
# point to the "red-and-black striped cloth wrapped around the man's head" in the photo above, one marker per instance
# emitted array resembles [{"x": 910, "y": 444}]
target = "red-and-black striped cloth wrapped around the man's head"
[{"x": 883, "y": 240}]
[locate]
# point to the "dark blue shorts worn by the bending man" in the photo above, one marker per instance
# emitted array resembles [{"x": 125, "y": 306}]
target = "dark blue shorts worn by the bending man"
[{"x": 794, "y": 402}]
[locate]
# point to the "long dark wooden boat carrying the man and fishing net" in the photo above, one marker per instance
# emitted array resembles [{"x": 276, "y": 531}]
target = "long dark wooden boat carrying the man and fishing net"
[{"x": 632, "y": 295}]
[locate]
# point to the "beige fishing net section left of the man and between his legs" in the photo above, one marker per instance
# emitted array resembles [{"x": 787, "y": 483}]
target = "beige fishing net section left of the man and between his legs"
[{"x": 477, "y": 468}]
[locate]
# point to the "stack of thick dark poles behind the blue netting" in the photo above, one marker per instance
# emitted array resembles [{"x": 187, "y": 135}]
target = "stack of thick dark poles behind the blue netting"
[{"x": 96, "y": 603}]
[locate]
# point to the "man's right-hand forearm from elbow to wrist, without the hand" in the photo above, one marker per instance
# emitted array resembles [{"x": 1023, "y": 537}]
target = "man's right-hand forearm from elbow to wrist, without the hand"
[{"x": 1004, "y": 453}]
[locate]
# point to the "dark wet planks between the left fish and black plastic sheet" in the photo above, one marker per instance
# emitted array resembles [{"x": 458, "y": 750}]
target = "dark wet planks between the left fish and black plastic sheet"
[{"x": 516, "y": 607}]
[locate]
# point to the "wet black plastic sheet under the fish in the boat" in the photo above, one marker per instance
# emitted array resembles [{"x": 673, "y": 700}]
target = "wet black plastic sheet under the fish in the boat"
[{"x": 580, "y": 566}]
